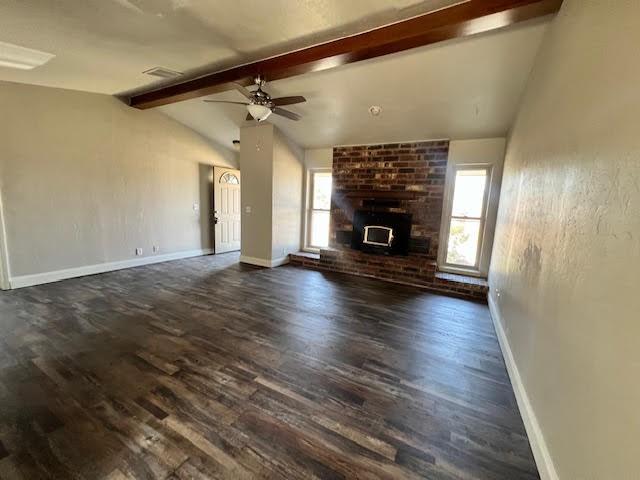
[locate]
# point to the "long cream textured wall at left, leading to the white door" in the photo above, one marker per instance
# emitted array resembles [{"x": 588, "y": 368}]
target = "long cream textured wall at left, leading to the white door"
[{"x": 86, "y": 180}]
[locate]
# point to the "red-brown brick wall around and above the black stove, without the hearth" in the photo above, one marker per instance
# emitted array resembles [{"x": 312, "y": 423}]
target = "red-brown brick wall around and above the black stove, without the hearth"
[{"x": 399, "y": 177}]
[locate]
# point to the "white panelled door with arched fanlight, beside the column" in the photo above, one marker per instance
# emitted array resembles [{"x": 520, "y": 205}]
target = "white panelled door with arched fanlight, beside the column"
[{"x": 226, "y": 209}]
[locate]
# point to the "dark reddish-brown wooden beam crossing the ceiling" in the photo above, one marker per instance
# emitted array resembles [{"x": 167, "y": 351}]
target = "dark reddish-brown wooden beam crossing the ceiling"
[{"x": 469, "y": 18}]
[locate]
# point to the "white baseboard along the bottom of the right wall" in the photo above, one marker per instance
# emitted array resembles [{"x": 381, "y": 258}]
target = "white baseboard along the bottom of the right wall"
[{"x": 546, "y": 469}]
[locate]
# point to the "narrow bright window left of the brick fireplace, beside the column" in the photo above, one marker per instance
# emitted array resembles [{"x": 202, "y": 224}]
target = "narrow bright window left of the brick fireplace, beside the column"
[{"x": 319, "y": 205}]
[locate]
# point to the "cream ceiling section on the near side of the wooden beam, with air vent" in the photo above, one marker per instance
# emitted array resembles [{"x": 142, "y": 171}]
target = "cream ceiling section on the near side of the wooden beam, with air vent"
[{"x": 105, "y": 45}]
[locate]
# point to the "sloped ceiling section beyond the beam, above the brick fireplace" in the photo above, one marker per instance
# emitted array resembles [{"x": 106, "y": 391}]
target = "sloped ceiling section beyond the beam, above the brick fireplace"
[{"x": 468, "y": 88}]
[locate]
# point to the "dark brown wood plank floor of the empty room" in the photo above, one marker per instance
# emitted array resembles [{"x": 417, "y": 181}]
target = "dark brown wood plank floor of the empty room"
[{"x": 205, "y": 368}]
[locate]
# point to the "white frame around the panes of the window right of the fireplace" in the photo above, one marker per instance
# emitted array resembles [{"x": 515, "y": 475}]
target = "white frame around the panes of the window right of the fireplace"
[{"x": 485, "y": 235}]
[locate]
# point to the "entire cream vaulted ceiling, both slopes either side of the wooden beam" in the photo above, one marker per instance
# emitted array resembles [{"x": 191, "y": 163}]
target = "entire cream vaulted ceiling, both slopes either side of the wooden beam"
[{"x": 466, "y": 88}]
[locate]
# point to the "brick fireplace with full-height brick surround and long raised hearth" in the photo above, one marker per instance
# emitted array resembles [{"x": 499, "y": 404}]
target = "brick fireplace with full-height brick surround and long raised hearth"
[{"x": 380, "y": 180}]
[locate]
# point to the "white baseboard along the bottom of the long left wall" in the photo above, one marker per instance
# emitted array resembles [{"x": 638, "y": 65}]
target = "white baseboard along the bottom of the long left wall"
[{"x": 56, "y": 276}]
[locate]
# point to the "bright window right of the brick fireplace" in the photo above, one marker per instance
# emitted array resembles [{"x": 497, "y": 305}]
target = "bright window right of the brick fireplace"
[{"x": 464, "y": 241}]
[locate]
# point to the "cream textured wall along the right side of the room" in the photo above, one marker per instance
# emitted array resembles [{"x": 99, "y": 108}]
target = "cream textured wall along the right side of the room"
[{"x": 567, "y": 249}]
